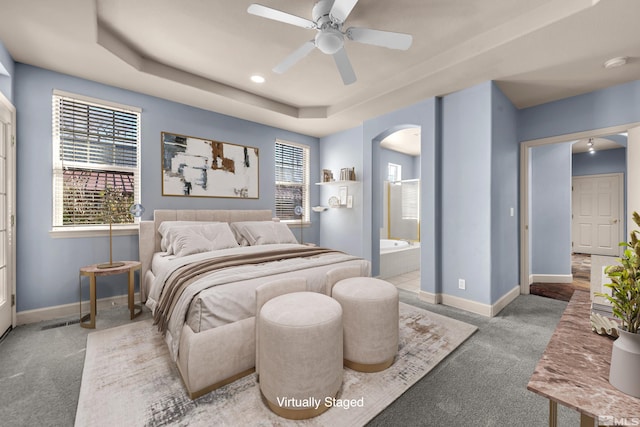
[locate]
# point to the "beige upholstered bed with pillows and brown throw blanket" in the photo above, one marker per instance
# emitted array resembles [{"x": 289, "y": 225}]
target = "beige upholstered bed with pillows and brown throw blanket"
[{"x": 209, "y": 325}]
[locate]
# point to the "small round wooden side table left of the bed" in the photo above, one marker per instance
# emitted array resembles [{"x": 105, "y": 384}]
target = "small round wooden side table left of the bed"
[{"x": 92, "y": 271}]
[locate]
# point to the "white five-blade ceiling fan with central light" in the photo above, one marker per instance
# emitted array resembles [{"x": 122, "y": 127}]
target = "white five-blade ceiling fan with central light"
[{"x": 328, "y": 19}]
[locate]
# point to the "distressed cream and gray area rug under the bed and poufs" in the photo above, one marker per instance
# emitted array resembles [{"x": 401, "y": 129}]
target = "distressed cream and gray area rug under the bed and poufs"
[{"x": 129, "y": 379}]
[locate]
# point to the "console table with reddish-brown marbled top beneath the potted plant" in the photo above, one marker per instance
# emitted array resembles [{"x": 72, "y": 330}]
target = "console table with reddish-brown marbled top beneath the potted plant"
[{"x": 574, "y": 371}]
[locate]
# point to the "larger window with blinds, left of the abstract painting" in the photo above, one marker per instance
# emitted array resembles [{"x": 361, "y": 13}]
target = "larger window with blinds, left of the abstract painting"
[{"x": 96, "y": 161}]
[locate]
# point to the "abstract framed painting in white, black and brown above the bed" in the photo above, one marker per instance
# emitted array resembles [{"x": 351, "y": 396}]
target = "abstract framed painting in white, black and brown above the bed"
[{"x": 199, "y": 167}]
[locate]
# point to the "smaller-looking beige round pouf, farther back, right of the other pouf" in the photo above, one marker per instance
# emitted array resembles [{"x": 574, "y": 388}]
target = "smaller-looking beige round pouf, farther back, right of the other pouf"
[{"x": 370, "y": 316}]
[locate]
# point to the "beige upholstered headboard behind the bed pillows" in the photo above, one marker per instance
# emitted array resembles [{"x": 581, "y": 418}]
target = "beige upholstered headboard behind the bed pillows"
[{"x": 149, "y": 238}]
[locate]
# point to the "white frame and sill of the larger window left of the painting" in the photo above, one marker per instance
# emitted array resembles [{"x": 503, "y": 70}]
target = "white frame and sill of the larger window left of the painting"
[{"x": 58, "y": 165}]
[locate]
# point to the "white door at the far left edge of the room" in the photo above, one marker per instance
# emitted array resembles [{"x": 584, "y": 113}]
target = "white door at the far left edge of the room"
[{"x": 7, "y": 202}]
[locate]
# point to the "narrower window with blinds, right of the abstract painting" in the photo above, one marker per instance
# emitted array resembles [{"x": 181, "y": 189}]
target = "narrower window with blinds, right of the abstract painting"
[{"x": 292, "y": 180}]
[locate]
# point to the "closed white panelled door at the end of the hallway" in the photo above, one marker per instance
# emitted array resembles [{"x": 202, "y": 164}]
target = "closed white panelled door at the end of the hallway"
[{"x": 596, "y": 214}]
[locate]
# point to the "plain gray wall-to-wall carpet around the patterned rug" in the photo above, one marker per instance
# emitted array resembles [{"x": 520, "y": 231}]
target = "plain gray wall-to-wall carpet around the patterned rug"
[{"x": 483, "y": 383}]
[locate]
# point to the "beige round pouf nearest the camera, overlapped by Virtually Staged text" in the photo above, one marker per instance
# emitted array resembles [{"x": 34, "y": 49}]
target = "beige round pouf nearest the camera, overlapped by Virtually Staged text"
[{"x": 300, "y": 353}]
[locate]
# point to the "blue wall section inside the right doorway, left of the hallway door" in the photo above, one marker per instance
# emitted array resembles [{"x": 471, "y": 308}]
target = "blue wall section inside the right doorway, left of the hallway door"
[{"x": 550, "y": 222}]
